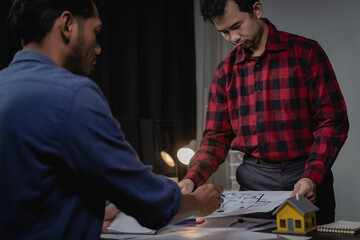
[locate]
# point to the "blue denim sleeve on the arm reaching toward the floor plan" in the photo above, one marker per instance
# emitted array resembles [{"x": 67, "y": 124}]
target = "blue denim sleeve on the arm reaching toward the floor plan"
[{"x": 100, "y": 153}]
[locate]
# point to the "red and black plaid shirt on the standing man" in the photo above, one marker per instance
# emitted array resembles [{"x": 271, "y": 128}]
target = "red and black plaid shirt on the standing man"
[{"x": 282, "y": 105}]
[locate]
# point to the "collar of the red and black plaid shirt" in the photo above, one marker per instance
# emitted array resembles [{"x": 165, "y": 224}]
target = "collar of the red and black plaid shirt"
[{"x": 273, "y": 43}]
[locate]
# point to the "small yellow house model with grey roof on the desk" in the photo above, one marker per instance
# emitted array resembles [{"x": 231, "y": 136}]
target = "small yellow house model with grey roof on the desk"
[{"x": 296, "y": 215}]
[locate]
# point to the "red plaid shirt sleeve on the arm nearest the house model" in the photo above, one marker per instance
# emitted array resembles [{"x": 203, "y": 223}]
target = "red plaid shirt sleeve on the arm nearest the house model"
[{"x": 329, "y": 114}]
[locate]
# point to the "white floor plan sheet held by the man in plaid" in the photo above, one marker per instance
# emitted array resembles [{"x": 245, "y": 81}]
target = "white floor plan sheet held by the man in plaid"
[{"x": 244, "y": 202}]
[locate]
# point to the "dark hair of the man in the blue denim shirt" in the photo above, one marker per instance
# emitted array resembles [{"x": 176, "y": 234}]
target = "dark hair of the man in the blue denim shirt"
[{"x": 31, "y": 20}]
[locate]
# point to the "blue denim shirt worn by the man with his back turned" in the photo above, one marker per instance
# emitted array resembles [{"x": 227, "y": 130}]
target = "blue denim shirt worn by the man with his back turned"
[{"x": 62, "y": 154}]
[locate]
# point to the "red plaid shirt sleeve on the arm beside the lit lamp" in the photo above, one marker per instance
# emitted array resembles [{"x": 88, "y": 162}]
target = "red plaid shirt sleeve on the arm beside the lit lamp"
[{"x": 217, "y": 135}]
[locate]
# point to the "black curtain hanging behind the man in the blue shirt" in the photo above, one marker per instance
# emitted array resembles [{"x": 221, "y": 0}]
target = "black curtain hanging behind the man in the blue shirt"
[{"x": 147, "y": 66}]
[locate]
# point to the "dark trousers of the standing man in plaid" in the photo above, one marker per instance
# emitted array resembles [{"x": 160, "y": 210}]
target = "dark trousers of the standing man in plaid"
[{"x": 259, "y": 175}]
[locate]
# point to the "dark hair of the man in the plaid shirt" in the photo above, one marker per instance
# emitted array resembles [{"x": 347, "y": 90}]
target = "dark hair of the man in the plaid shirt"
[{"x": 213, "y": 8}]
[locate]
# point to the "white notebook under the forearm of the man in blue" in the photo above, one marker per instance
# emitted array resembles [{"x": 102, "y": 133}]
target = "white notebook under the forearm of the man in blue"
[{"x": 126, "y": 224}]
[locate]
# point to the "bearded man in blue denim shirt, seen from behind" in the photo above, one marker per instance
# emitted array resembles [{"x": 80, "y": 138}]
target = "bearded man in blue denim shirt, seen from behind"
[{"x": 61, "y": 151}]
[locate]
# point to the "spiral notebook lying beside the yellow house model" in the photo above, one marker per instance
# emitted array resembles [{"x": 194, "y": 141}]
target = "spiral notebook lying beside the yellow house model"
[{"x": 340, "y": 227}]
